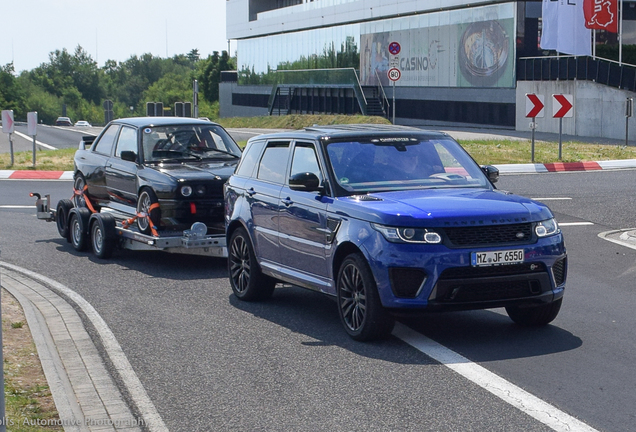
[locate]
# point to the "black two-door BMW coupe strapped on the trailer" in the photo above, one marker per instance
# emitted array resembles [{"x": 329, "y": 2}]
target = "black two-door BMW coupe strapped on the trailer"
[{"x": 171, "y": 168}]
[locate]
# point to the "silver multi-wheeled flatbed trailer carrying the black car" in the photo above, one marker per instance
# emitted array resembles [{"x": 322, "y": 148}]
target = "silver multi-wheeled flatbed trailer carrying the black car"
[{"x": 105, "y": 230}]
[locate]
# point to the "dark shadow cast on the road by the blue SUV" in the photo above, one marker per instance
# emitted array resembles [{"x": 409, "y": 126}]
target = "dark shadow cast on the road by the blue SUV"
[{"x": 481, "y": 336}]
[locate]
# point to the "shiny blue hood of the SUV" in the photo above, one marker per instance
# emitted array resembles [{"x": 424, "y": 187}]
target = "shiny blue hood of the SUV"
[{"x": 444, "y": 207}]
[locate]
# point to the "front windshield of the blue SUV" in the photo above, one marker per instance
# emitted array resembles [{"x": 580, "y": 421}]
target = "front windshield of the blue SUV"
[{"x": 387, "y": 164}]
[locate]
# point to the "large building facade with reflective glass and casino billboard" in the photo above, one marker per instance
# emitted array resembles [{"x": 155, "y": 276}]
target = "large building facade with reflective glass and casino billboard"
[{"x": 457, "y": 59}]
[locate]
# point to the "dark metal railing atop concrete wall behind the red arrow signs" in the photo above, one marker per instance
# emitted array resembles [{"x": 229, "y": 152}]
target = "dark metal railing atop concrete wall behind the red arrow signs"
[{"x": 602, "y": 71}]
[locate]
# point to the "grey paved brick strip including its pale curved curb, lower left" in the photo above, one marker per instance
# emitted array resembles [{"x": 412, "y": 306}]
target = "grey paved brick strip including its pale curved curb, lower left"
[{"x": 73, "y": 366}]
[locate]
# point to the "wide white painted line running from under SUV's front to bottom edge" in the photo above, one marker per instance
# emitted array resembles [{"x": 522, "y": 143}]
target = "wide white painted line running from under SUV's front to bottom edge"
[{"x": 510, "y": 393}]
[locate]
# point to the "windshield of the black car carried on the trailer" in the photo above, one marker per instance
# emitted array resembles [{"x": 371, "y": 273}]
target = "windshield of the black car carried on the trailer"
[{"x": 188, "y": 142}]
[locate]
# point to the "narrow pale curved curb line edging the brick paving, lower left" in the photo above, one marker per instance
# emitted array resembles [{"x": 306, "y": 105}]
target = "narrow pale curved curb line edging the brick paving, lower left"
[{"x": 116, "y": 354}]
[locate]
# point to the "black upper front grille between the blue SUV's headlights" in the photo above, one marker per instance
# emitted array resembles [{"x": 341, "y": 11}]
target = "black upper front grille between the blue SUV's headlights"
[{"x": 493, "y": 235}]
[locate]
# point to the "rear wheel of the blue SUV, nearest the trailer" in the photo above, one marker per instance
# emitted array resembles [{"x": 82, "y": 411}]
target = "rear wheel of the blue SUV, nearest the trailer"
[{"x": 247, "y": 280}]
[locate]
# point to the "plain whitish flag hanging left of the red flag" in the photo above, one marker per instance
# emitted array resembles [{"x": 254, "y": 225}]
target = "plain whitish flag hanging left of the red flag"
[{"x": 564, "y": 27}]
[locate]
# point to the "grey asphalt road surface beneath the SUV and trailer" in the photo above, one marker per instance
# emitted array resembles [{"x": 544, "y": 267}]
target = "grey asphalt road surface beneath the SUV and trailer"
[{"x": 210, "y": 362}]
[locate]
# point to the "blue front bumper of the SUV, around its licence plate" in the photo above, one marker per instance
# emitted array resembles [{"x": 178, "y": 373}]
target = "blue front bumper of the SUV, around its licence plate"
[{"x": 435, "y": 277}]
